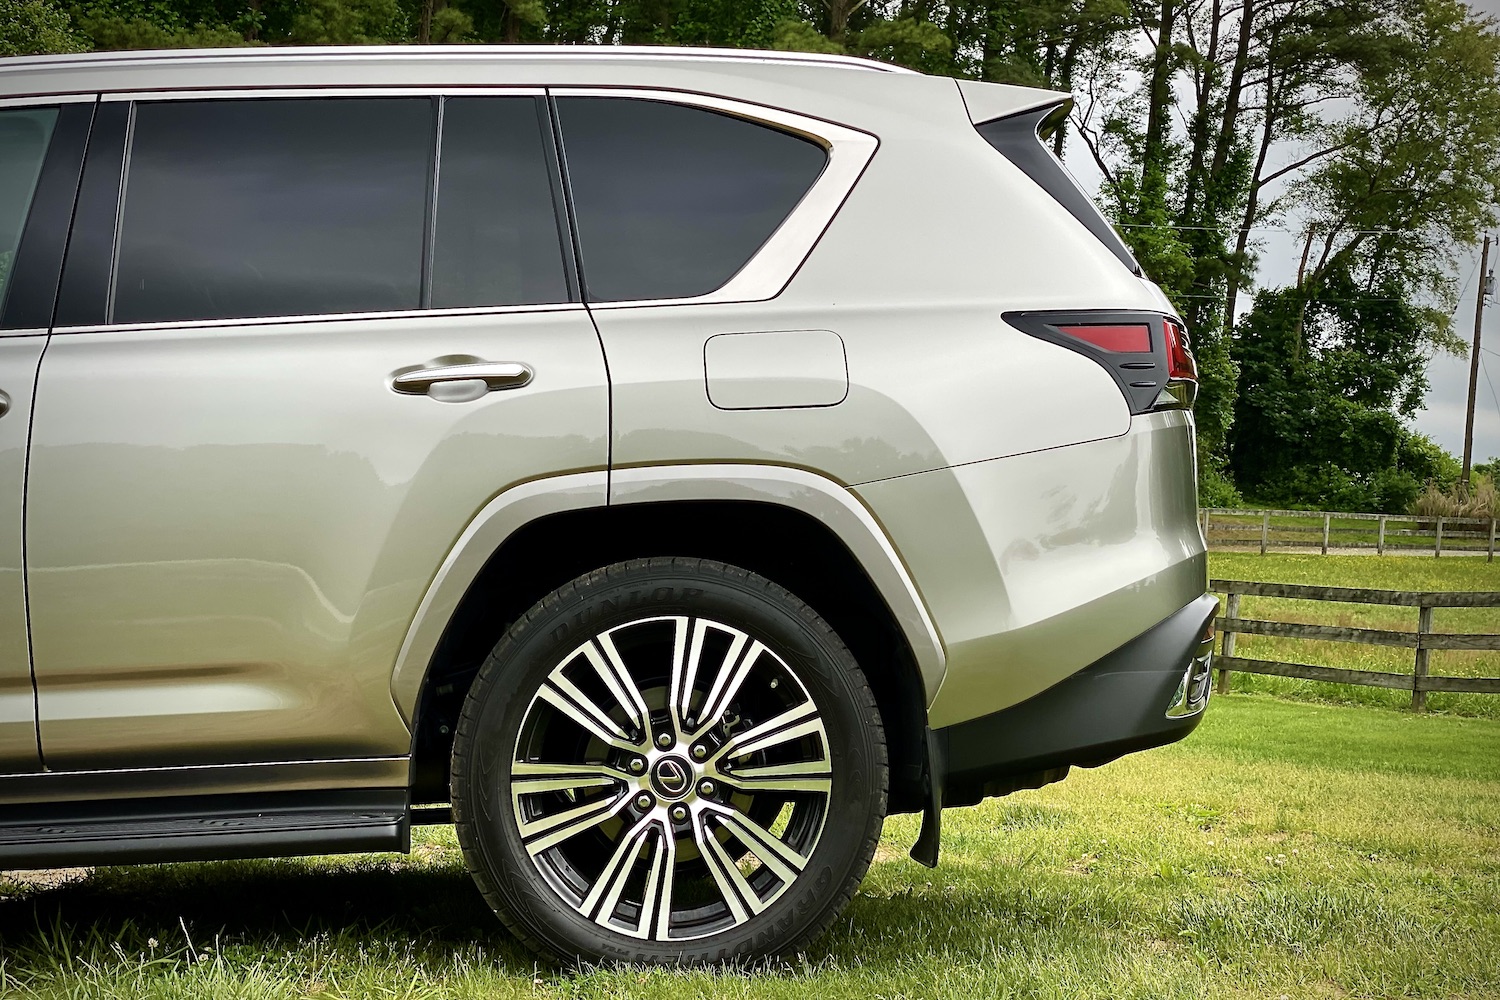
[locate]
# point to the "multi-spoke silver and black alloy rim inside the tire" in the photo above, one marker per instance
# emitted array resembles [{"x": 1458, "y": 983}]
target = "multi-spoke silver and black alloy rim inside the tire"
[{"x": 671, "y": 777}]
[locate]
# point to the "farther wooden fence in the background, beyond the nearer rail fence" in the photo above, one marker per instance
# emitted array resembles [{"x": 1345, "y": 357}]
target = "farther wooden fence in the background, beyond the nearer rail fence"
[{"x": 1235, "y": 528}]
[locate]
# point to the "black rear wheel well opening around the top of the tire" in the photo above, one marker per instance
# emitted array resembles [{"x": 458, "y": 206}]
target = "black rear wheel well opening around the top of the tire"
[{"x": 775, "y": 540}]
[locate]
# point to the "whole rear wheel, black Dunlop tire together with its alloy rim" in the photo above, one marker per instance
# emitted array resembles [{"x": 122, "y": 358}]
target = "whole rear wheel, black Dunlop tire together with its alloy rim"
[{"x": 586, "y": 743}]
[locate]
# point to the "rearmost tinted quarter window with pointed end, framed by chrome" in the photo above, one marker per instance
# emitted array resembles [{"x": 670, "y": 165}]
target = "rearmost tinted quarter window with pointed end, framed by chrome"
[{"x": 671, "y": 202}]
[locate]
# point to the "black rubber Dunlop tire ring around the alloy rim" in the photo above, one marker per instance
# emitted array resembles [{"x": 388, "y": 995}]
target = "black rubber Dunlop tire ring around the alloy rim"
[{"x": 608, "y": 599}]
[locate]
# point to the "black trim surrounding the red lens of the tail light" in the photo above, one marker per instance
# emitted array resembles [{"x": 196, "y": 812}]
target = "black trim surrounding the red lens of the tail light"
[{"x": 1142, "y": 376}]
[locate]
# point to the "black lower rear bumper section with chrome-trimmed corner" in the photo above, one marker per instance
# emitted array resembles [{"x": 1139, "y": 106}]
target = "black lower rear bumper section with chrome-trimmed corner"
[{"x": 1150, "y": 692}]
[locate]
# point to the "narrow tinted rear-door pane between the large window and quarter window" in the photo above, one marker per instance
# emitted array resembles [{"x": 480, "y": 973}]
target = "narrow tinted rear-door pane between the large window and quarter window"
[{"x": 497, "y": 238}]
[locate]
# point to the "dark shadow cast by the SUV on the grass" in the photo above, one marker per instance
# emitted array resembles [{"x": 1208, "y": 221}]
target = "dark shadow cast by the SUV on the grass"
[{"x": 395, "y": 914}]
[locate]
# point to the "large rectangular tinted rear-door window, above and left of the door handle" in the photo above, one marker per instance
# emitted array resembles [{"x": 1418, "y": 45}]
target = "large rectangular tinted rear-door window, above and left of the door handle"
[{"x": 274, "y": 208}]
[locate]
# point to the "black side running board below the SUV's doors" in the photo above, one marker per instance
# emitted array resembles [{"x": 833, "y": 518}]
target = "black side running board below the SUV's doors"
[{"x": 203, "y": 828}]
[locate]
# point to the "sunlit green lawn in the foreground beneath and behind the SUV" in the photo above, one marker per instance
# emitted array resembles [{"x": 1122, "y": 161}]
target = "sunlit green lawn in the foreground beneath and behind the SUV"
[{"x": 1285, "y": 849}]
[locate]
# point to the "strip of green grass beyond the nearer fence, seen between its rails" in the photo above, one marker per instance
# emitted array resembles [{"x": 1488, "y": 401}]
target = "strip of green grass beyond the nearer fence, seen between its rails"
[{"x": 1388, "y": 573}]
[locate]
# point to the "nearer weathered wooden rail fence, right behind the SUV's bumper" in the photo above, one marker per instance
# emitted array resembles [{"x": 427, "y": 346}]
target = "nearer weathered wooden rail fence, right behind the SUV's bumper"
[{"x": 1421, "y": 642}]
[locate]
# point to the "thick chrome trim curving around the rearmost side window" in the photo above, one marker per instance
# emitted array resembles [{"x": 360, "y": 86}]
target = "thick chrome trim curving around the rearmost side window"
[{"x": 773, "y": 266}]
